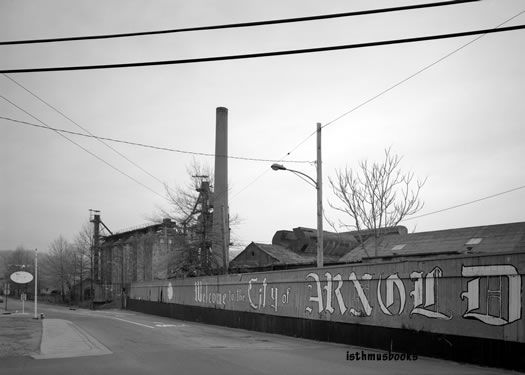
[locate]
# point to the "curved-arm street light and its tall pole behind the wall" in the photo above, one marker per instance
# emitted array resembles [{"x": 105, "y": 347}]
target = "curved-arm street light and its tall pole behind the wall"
[{"x": 318, "y": 185}]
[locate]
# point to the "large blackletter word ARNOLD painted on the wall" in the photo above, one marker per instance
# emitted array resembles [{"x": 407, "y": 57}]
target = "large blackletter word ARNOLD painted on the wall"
[{"x": 501, "y": 294}]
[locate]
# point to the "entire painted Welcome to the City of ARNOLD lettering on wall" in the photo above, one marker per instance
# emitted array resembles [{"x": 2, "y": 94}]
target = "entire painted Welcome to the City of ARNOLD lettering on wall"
[{"x": 490, "y": 294}]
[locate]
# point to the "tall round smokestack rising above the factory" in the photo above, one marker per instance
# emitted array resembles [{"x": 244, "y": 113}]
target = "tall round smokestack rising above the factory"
[{"x": 221, "y": 222}]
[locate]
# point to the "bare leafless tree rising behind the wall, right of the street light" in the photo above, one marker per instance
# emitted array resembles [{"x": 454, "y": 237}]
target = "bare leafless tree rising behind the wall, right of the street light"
[{"x": 376, "y": 196}]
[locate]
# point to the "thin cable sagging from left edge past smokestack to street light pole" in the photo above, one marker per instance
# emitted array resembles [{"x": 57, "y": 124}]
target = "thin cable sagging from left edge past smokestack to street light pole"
[{"x": 141, "y": 144}]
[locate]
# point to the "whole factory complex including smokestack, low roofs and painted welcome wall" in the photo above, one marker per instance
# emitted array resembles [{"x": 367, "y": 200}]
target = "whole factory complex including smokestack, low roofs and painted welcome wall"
[{"x": 455, "y": 293}]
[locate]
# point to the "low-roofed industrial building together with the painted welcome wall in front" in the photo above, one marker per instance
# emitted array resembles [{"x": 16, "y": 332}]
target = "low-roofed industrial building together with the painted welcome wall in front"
[{"x": 455, "y": 293}]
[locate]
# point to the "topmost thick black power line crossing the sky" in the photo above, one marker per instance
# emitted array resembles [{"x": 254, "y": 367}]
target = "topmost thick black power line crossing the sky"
[{"x": 238, "y": 25}]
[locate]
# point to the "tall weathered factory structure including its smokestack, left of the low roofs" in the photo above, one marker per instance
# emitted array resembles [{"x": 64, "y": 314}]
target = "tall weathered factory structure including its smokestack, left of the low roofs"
[{"x": 169, "y": 249}]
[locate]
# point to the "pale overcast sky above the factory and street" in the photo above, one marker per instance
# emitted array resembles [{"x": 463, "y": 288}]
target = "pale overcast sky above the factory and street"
[{"x": 460, "y": 123}]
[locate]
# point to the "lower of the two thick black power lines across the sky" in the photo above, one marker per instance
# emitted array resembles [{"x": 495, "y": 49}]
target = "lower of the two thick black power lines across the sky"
[{"x": 265, "y": 54}]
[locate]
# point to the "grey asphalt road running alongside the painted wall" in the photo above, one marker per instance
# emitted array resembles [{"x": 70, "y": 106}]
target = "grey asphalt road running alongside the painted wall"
[{"x": 147, "y": 344}]
